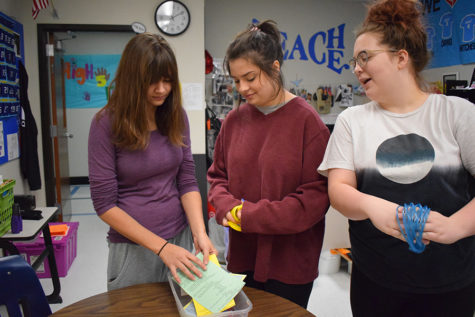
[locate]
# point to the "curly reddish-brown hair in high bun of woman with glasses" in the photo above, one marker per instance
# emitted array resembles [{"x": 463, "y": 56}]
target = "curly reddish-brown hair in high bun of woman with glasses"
[{"x": 400, "y": 24}]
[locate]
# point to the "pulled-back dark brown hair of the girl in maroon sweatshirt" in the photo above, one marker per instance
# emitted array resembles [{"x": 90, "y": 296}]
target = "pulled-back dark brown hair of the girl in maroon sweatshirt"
[{"x": 260, "y": 44}]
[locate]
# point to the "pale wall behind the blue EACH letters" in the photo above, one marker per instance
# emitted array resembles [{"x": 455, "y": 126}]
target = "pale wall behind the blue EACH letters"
[{"x": 225, "y": 18}]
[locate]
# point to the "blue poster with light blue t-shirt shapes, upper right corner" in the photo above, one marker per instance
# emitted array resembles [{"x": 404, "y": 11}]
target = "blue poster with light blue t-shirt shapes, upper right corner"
[{"x": 450, "y": 31}]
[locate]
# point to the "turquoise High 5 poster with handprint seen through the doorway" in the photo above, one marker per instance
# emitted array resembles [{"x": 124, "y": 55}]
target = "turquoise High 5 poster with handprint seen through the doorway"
[{"x": 87, "y": 79}]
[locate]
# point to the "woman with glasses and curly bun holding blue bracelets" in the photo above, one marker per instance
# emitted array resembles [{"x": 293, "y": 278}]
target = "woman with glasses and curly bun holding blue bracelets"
[{"x": 405, "y": 146}]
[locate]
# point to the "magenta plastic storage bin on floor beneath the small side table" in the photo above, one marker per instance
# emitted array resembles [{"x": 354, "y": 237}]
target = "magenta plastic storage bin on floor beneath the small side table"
[{"x": 65, "y": 250}]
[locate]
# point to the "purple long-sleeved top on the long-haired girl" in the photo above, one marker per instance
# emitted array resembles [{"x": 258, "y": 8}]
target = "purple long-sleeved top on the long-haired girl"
[{"x": 147, "y": 184}]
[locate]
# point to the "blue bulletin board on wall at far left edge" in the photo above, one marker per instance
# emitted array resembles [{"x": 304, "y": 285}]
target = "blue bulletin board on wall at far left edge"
[{"x": 11, "y": 53}]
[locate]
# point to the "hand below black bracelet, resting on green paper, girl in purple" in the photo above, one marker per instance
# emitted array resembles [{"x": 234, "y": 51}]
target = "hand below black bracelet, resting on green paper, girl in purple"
[{"x": 176, "y": 257}]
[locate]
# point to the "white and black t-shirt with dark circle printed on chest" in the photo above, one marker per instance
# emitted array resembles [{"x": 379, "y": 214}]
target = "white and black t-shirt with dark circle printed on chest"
[{"x": 426, "y": 156}]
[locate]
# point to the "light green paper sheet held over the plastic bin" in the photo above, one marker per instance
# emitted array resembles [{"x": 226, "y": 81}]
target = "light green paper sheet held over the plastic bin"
[{"x": 214, "y": 289}]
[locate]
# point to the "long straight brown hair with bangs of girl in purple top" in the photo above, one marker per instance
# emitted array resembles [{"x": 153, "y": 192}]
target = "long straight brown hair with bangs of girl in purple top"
[{"x": 147, "y": 59}]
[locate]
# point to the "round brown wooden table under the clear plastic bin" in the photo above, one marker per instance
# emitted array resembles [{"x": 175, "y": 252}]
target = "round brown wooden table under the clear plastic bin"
[{"x": 156, "y": 299}]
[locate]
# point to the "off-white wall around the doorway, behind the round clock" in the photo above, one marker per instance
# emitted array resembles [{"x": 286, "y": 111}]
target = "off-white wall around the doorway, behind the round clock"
[{"x": 189, "y": 49}]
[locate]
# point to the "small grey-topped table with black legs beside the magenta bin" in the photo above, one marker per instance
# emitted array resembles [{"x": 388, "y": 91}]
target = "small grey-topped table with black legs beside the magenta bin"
[{"x": 31, "y": 228}]
